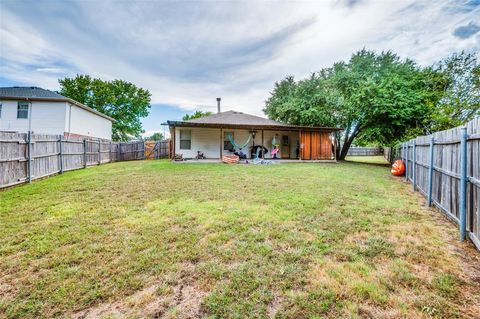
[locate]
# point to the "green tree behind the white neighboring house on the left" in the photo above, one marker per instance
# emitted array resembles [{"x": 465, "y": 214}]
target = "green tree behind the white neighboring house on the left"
[{"x": 121, "y": 100}]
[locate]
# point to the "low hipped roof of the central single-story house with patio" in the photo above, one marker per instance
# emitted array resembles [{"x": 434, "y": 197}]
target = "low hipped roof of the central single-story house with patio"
[{"x": 239, "y": 119}]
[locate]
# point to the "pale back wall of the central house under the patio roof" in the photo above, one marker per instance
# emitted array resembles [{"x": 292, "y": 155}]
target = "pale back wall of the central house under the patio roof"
[{"x": 209, "y": 141}]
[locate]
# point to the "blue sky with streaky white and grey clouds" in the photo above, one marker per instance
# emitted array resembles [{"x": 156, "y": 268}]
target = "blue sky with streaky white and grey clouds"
[{"x": 188, "y": 53}]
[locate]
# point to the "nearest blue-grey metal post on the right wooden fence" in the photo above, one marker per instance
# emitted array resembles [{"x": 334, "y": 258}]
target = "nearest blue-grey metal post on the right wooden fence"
[{"x": 463, "y": 184}]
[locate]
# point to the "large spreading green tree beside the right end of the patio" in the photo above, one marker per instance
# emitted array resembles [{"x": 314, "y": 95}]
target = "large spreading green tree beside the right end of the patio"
[{"x": 373, "y": 97}]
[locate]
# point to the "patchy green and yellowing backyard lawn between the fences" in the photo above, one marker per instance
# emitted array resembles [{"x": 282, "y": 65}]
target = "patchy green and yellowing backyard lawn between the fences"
[{"x": 156, "y": 239}]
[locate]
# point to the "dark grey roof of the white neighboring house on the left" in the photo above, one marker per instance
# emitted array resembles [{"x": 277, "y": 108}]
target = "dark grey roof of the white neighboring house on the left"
[{"x": 34, "y": 93}]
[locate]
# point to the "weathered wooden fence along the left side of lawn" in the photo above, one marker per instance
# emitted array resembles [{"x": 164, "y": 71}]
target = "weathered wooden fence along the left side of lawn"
[{"x": 26, "y": 156}]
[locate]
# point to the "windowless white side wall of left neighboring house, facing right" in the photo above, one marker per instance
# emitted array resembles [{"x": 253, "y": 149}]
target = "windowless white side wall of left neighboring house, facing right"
[{"x": 83, "y": 122}]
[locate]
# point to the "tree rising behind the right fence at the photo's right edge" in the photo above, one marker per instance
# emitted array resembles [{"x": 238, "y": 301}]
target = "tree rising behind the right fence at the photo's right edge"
[{"x": 461, "y": 100}]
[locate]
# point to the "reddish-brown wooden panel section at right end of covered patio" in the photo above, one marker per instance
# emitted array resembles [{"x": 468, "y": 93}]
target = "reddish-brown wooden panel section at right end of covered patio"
[{"x": 315, "y": 146}]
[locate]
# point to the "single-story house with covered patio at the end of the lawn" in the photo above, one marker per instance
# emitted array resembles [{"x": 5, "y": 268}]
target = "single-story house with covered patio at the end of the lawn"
[{"x": 213, "y": 136}]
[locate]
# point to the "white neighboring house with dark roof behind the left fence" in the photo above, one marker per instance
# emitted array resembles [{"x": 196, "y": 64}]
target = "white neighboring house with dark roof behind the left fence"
[{"x": 42, "y": 111}]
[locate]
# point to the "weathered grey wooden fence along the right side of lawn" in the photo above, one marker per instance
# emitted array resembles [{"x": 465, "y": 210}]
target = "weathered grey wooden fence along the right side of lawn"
[{"x": 445, "y": 167}]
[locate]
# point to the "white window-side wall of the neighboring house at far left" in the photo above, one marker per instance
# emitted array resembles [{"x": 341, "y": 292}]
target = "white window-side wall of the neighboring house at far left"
[{"x": 46, "y": 117}]
